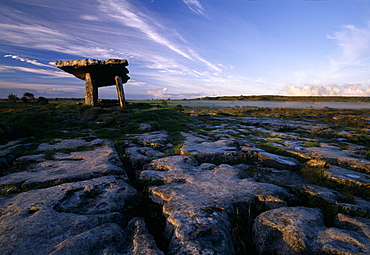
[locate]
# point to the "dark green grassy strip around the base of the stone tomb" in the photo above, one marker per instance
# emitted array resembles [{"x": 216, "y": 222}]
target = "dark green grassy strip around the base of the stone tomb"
[{"x": 70, "y": 120}]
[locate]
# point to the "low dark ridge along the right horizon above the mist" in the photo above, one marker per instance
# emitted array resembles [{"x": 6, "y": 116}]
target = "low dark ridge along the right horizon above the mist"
[{"x": 352, "y": 99}]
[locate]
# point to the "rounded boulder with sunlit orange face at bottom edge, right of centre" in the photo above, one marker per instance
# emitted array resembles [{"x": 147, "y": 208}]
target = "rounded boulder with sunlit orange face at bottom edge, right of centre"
[{"x": 287, "y": 230}]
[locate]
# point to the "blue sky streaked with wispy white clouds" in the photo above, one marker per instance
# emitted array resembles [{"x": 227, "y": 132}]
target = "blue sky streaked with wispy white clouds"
[{"x": 189, "y": 48}]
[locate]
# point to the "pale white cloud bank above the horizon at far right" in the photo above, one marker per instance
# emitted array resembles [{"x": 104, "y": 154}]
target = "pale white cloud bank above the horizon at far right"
[{"x": 349, "y": 62}]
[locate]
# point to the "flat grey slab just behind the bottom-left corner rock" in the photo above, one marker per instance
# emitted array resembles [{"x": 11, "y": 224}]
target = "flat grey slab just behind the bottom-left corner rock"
[{"x": 67, "y": 167}]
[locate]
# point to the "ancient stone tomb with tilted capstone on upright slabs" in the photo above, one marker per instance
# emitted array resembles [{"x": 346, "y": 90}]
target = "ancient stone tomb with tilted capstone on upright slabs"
[{"x": 96, "y": 74}]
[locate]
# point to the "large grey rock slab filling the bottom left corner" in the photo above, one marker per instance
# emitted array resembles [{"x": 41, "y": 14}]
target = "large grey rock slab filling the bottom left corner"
[{"x": 42, "y": 221}]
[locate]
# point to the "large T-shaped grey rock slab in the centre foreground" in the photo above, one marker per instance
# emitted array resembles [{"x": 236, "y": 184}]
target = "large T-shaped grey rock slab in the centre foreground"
[{"x": 197, "y": 198}]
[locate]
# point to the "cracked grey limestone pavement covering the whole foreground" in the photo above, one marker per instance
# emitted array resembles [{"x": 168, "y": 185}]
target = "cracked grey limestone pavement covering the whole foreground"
[{"x": 236, "y": 185}]
